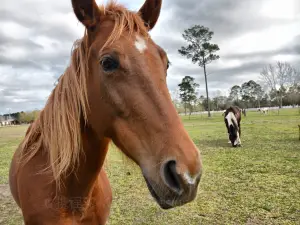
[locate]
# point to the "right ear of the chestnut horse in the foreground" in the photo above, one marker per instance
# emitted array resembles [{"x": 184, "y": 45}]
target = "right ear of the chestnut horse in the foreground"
[{"x": 150, "y": 12}]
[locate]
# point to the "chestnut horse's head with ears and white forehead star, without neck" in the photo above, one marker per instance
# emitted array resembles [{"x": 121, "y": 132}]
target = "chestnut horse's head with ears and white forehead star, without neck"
[{"x": 128, "y": 100}]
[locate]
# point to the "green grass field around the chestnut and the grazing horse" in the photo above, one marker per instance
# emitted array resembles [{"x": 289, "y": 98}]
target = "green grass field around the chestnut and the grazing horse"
[{"x": 256, "y": 184}]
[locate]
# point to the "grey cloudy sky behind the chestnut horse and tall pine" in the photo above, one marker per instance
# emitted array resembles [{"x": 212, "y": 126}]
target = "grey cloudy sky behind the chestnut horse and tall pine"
[{"x": 36, "y": 38}]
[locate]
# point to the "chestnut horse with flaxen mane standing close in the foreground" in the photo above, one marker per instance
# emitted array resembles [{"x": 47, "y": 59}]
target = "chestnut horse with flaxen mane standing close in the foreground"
[{"x": 113, "y": 90}]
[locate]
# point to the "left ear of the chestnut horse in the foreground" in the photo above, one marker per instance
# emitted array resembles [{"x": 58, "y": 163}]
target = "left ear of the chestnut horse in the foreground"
[{"x": 87, "y": 12}]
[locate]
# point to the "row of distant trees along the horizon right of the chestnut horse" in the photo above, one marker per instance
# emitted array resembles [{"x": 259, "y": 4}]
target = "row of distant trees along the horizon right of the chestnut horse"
[{"x": 279, "y": 85}]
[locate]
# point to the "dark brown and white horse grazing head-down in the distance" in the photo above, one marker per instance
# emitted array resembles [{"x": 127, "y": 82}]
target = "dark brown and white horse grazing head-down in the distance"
[{"x": 232, "y": 118}]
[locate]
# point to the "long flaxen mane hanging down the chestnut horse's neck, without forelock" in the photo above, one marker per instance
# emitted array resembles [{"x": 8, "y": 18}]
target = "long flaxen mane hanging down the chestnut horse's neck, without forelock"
[{"x": 58, "y": 127}]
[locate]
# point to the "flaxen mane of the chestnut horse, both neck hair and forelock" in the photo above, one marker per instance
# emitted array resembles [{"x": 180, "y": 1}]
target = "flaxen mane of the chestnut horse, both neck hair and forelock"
[{"x": 58, "y": 127}]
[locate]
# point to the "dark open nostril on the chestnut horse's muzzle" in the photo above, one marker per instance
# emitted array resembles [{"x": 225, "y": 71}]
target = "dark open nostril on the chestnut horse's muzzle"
[{"x": 171, "y": 177}]
